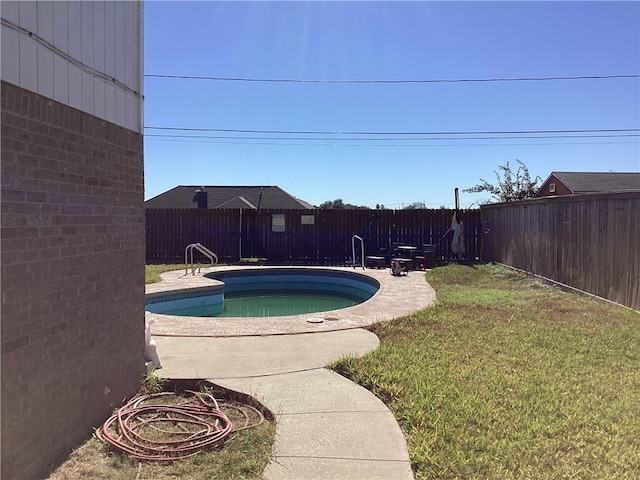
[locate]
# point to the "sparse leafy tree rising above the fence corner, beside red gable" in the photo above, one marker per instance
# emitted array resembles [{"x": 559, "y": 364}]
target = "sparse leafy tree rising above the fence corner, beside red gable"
[{"x": 511, "y": 187}]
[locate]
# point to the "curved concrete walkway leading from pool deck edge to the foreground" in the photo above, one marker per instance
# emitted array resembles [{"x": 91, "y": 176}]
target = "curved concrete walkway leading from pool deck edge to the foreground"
[{"x": 327, "y": 427}]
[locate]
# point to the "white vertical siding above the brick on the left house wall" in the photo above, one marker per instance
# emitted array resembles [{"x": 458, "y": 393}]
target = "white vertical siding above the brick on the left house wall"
[{"x": 85, "y": 54}]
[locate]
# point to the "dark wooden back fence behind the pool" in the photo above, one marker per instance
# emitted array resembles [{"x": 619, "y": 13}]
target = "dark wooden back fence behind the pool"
[{"x": 307, "y": 236}]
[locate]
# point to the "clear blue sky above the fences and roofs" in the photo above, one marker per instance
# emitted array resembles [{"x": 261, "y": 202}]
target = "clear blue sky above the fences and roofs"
[{"x": 386, "y": 41}]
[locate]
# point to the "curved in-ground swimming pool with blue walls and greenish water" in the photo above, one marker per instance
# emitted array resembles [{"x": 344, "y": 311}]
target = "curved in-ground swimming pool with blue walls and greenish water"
[{"x": 266, "y": 293}]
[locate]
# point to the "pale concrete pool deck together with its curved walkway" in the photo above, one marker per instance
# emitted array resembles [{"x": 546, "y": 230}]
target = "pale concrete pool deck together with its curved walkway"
[{"x": 327, "y": 427}]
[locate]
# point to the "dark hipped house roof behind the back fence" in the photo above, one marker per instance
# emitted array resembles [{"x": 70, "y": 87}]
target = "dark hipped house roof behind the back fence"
[{"x": 248, "y": 197}]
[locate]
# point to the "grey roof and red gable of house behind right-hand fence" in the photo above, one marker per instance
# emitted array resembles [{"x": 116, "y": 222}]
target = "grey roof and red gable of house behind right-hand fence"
[{"x": 589, "y": 182}]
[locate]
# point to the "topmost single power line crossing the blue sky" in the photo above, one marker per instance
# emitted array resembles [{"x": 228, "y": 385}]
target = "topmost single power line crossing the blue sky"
[{"x": 458, "y": 80}]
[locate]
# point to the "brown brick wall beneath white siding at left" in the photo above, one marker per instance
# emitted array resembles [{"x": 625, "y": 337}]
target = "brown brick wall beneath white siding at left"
[{"x": 72, "y": 277}]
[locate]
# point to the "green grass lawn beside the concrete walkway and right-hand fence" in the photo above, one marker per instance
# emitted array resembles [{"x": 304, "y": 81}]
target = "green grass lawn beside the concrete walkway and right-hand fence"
[{"x": 505, "y": 377}]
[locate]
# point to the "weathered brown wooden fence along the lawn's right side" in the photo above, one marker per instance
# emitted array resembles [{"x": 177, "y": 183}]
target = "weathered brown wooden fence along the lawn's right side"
[{"x": 589, "y": 242}]
